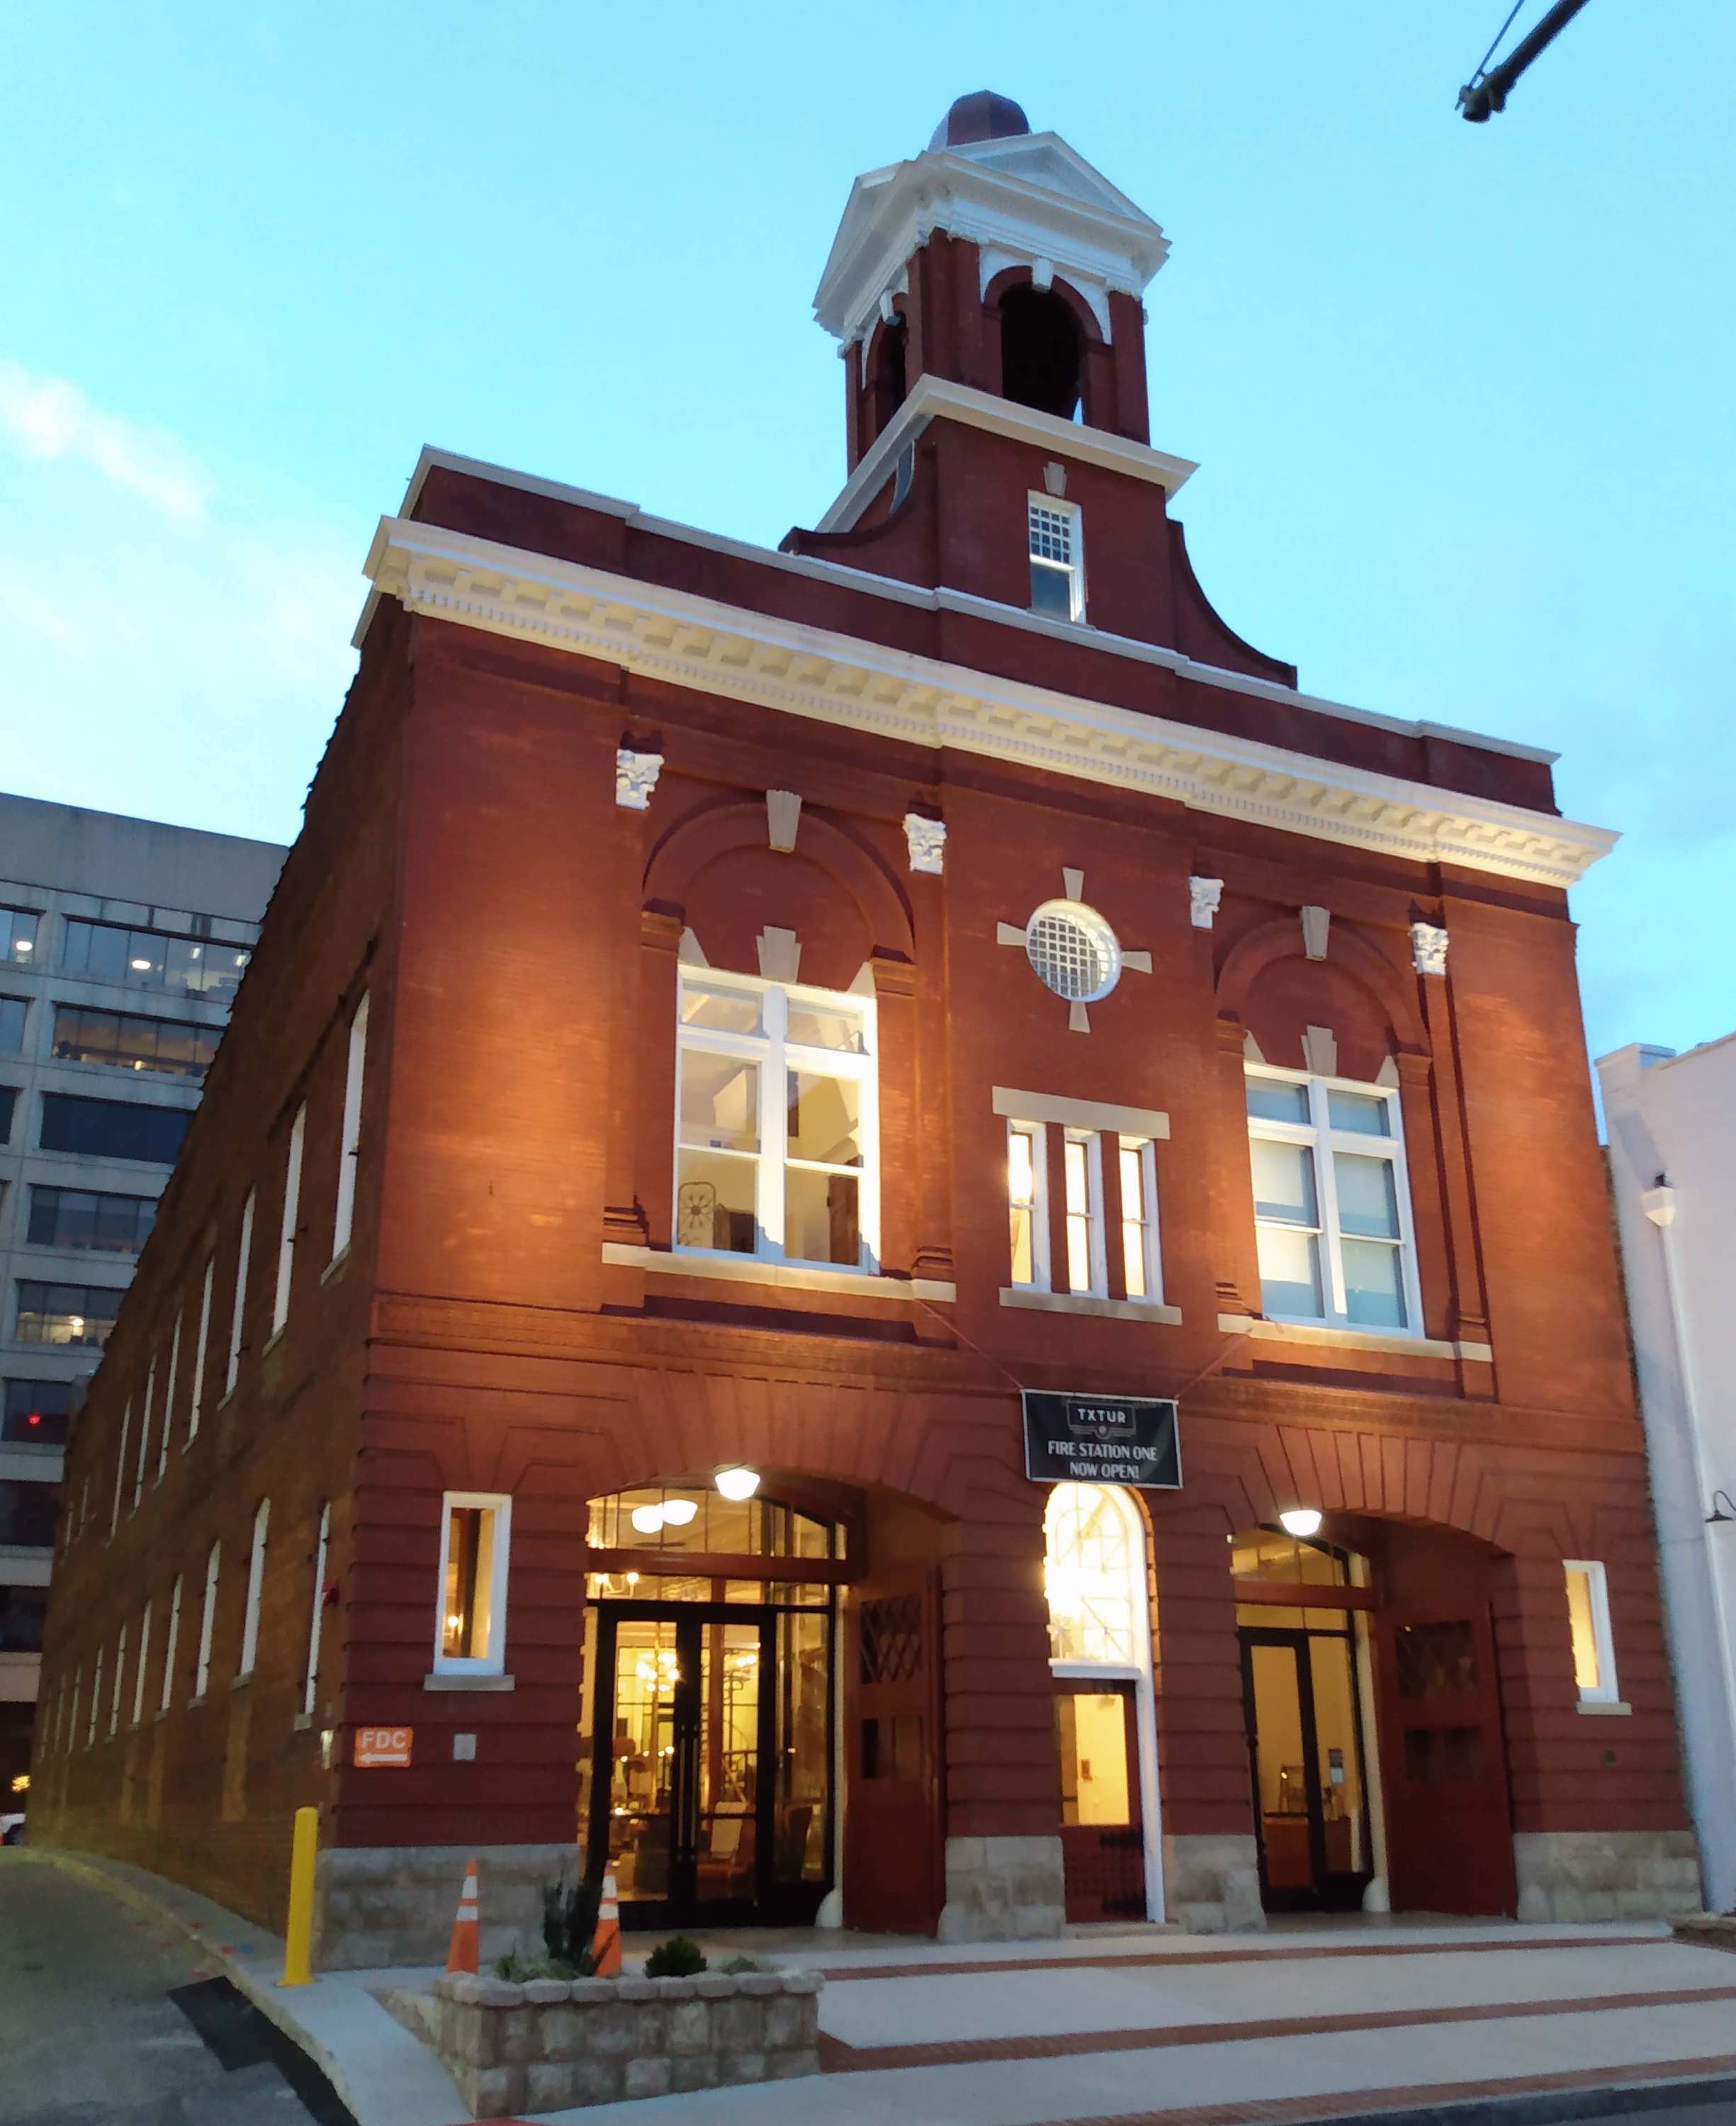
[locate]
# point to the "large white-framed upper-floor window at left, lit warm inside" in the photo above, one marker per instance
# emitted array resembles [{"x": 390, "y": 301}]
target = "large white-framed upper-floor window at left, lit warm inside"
[{"x": 777, "y": 1124}]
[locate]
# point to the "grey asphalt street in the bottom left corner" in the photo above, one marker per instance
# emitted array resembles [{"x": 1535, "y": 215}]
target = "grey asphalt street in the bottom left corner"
[{"x": 92, "y": 2034}]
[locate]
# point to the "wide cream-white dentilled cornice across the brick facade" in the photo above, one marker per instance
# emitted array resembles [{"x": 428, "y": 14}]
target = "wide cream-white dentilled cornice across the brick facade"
[{"x": 862, "y": 686}]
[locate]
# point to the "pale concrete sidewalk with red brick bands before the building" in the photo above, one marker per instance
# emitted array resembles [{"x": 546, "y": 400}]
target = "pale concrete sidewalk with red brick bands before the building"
[{"x": 1136, "y": 2027}]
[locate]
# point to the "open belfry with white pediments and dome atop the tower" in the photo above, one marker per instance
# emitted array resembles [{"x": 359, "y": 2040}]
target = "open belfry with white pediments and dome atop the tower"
[{"x": 1000, "y": 260}]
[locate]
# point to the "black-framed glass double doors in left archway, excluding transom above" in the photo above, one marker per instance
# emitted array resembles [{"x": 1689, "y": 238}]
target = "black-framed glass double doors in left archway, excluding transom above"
[{"x": 702, "y": 1789}]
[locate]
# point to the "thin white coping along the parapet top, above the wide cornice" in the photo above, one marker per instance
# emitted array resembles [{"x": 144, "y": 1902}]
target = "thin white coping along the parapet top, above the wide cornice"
[{"x": 947, "y": 601}]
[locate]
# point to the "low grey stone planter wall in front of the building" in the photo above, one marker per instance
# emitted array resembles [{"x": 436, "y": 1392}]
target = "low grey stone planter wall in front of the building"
[{"x": 594, "y": 2042}]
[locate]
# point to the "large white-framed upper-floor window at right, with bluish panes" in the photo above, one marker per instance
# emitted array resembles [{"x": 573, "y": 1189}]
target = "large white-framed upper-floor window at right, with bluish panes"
[{"x": 1331, "y": 1202}]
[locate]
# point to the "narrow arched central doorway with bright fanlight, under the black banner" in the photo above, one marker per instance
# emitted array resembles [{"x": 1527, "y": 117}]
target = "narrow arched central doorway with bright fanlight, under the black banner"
[{"x": 1106, "y": 1732}]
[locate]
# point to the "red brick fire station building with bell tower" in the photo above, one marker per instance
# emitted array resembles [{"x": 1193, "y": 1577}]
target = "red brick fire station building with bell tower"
[{"x": 738, "y": 1019}]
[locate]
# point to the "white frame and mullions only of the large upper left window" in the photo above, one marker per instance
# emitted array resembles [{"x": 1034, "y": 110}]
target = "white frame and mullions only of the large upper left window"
[{"x": 777, "y": 1056}]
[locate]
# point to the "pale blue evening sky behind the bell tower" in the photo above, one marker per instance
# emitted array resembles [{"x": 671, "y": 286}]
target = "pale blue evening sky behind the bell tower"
[{"x": 1461, "y": 396}]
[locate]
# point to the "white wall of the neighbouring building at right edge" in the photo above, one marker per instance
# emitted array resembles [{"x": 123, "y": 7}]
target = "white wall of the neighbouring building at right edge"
[{"x": 1673, "y": 1166}]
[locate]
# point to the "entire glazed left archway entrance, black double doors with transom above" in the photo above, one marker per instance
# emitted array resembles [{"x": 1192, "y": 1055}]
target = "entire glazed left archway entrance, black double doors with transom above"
[{"x": 709, "y": 1734}]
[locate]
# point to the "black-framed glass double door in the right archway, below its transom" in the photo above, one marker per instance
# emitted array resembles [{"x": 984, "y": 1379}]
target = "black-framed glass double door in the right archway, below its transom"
[{"x": 1306, "y": 1757}]
